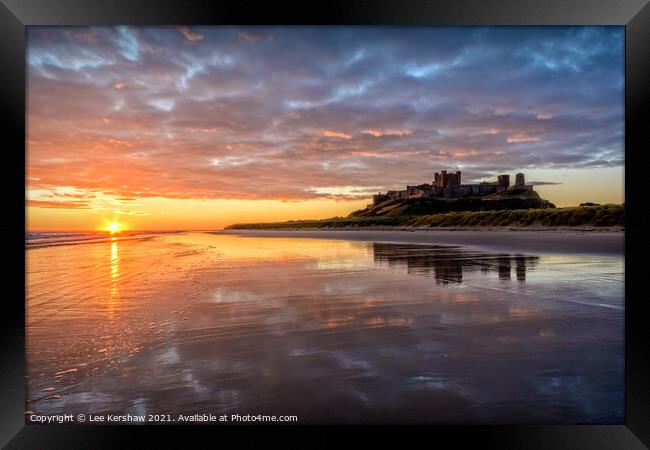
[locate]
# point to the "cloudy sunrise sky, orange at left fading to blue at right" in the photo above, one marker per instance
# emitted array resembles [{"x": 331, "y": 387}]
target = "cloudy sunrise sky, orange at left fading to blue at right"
[{"x": 201, "y": 127}]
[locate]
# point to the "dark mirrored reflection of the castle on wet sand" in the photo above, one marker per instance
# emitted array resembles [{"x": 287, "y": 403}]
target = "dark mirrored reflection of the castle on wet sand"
[{"x": 446, "y": 263}]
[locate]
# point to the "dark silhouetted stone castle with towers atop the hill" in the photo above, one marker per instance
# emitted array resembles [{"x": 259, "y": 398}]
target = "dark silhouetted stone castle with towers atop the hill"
[{"x": 449, "y": 185}]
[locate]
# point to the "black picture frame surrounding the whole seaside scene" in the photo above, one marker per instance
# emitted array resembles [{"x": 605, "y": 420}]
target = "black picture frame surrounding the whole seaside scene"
[{"x": 15, "y": 15}]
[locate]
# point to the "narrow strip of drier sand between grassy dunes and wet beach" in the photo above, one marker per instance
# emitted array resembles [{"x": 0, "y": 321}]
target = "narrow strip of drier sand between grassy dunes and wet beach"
[{"x": 565, "y": 240}]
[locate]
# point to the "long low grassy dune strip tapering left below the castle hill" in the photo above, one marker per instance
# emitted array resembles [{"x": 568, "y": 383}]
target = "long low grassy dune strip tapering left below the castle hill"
[{"x": 596, "y": 215}]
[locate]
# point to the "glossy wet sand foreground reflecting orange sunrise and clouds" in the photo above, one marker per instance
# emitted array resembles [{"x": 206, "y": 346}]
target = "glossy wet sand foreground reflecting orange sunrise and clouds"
[{"x": 339, "y": 330}]
